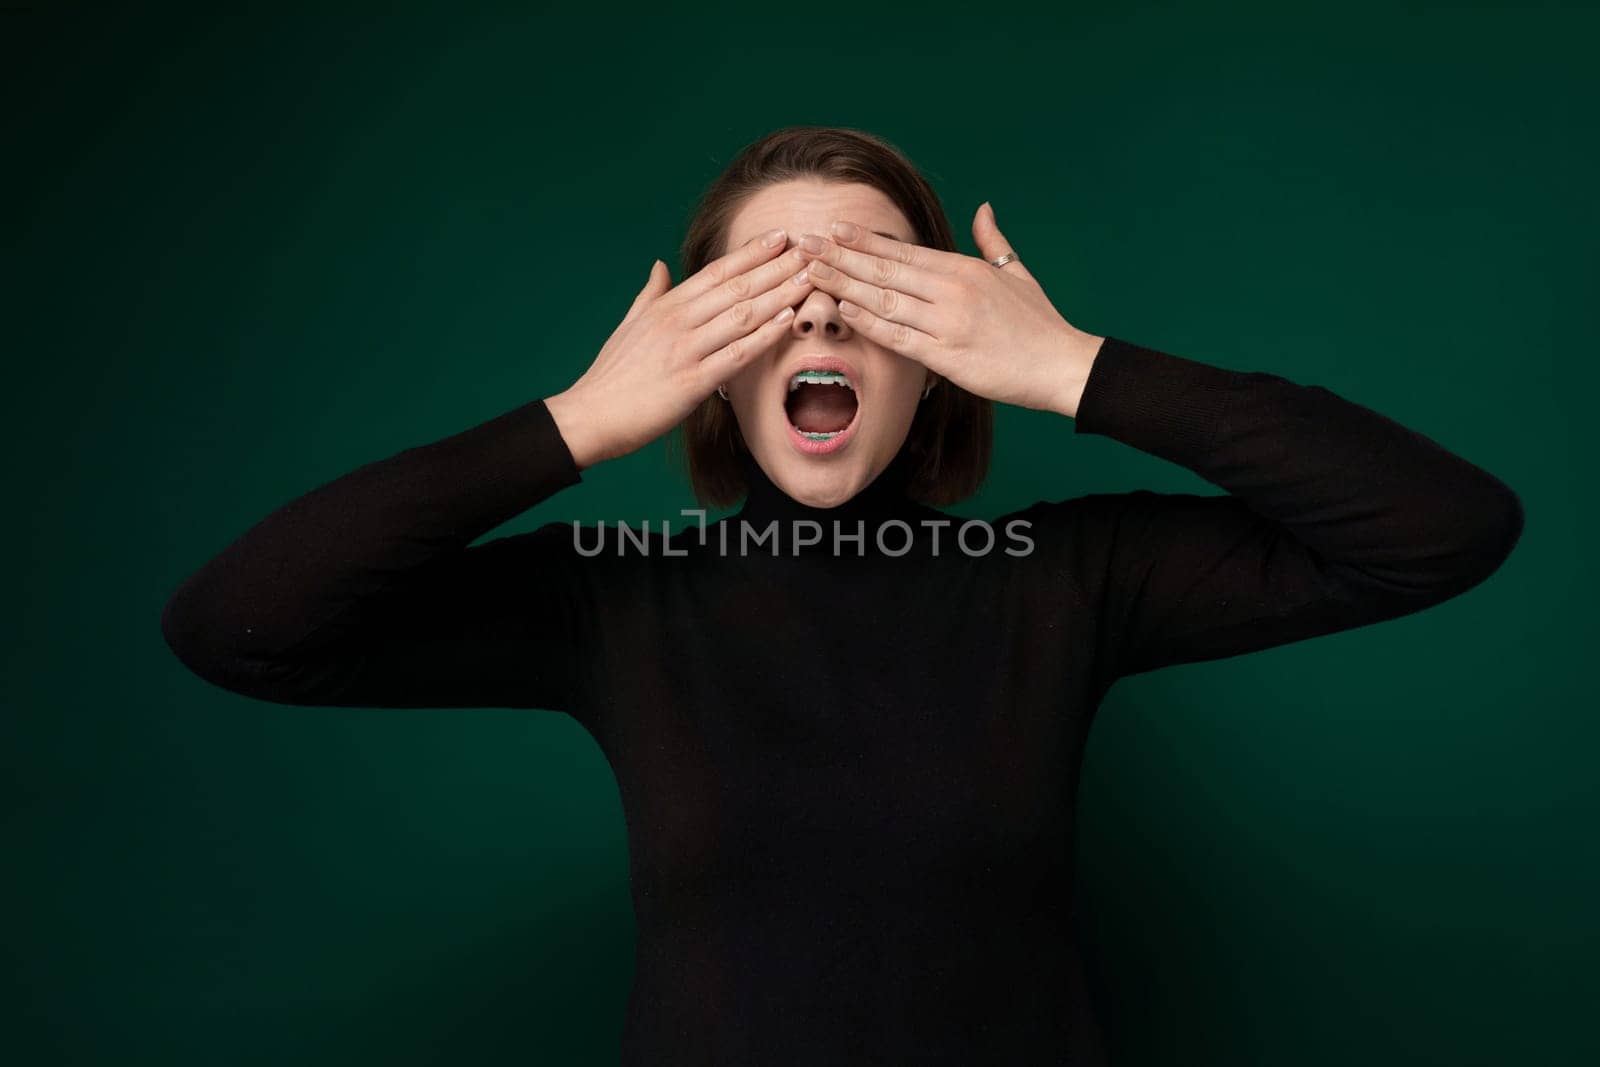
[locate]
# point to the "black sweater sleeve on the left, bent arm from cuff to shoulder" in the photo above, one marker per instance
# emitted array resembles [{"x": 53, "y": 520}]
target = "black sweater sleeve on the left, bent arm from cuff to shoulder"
[{"x": 364, "y": 591}]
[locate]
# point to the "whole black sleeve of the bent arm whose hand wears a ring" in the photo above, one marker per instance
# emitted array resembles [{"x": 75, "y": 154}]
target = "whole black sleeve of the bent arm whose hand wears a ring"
[{"x": 1335, "y": 516}]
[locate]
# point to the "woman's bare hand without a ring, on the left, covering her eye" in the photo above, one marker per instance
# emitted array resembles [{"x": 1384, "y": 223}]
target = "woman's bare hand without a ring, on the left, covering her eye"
[{"x": 678, "y": 345}]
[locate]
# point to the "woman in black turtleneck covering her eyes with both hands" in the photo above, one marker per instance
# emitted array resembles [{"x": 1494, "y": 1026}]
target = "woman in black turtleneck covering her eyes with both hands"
[{"x": 847, "y": 730}]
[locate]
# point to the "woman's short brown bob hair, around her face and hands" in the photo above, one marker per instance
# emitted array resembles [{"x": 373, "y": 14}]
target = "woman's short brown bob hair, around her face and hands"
[{"x": 951, "y": 438}]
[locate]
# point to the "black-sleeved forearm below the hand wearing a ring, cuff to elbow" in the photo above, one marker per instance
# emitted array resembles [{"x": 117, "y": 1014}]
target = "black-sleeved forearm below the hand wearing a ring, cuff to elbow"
[{"x": 1369, "y": 497}]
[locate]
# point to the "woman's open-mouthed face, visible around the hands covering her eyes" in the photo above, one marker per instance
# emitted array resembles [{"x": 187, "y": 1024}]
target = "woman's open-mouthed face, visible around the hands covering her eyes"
[{"x": 788, "y": 431}]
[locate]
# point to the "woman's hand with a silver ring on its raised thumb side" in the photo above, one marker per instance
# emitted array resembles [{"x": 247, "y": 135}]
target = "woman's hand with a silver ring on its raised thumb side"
[{"x": 990, "y": 330}]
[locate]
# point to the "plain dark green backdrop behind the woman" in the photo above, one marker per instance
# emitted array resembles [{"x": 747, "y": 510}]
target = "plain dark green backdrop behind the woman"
[{"x": 249, "y": 254}]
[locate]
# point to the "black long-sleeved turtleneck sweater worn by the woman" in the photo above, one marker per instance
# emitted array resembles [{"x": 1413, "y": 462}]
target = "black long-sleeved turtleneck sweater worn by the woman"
[{"x": 850, "y": 780}]
